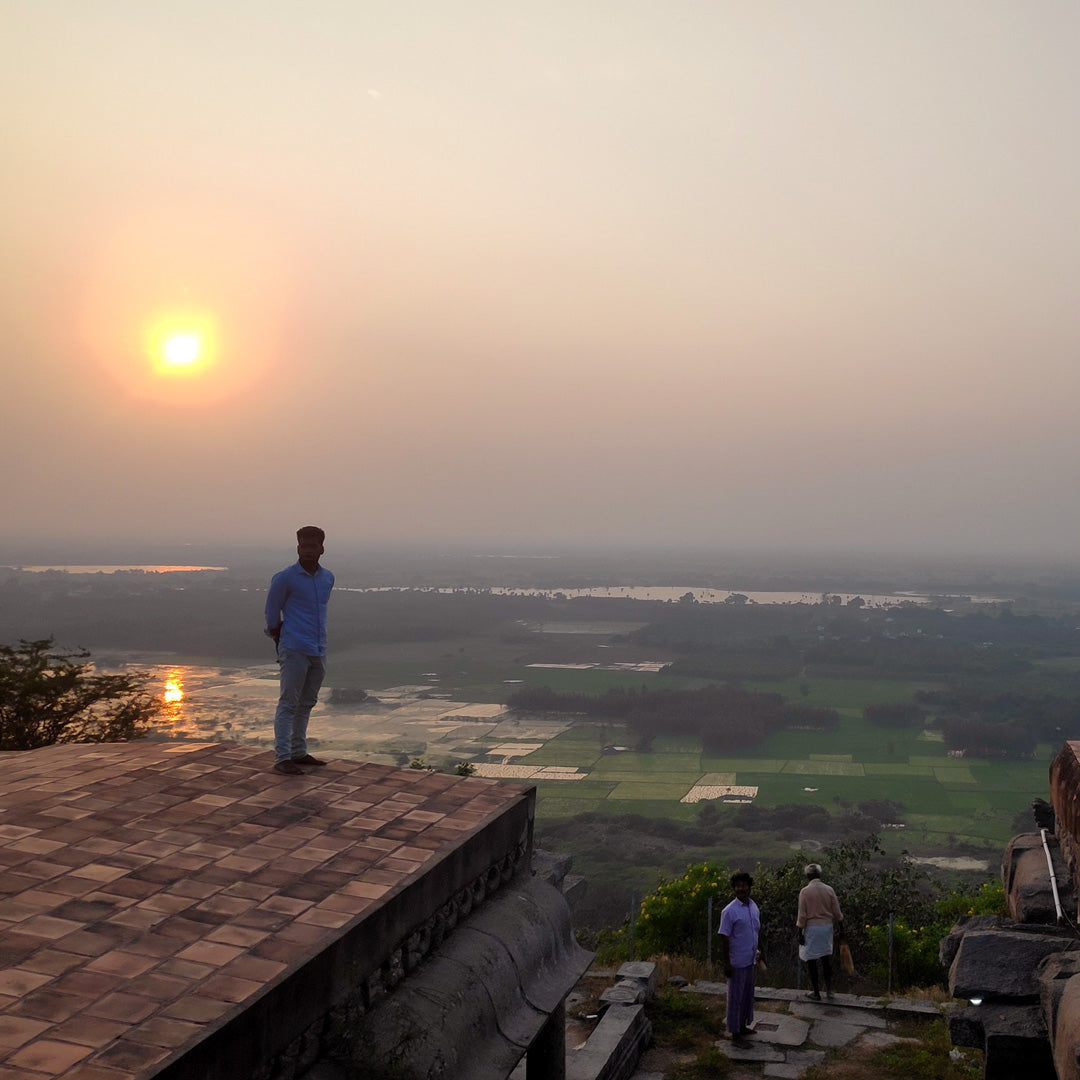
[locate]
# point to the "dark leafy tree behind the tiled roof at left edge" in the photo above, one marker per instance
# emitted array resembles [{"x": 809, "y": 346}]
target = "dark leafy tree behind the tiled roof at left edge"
[{"x": 50, "y": 696}]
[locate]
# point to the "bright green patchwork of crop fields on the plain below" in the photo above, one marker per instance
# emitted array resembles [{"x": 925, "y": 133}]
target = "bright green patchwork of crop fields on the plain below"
[{"x": 948, "y": 802}]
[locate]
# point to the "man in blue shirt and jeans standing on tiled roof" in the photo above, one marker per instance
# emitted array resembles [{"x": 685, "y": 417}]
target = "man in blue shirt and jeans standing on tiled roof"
[{"x": 296, "y": 620}]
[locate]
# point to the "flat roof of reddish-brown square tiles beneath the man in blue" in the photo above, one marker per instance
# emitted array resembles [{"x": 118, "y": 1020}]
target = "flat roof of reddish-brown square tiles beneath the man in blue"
[{"x": 156, "y": 896}]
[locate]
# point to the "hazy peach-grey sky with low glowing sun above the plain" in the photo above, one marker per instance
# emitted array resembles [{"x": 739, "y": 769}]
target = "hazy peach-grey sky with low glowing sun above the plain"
[{"x": 733, "y": 274}]
